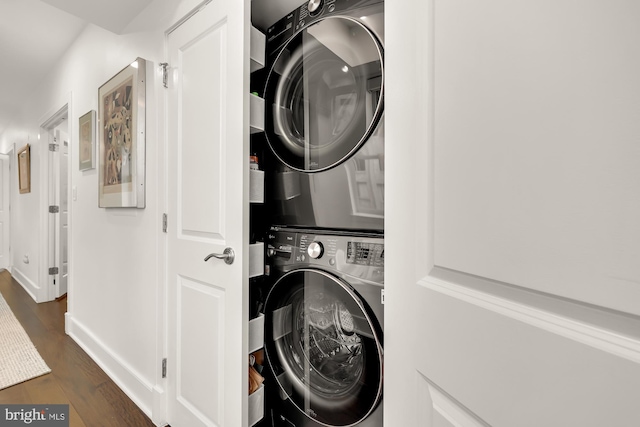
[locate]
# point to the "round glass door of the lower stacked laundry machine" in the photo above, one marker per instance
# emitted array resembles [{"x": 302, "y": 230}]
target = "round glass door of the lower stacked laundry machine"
[{"x": 323, "y": 347}]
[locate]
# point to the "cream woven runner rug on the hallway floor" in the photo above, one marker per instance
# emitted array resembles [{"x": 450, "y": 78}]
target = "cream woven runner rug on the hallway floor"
[{"x": 19, "y": 359}]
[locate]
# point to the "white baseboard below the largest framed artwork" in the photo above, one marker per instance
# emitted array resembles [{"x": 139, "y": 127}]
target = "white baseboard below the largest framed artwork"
[{"x": 143, "y": 393}]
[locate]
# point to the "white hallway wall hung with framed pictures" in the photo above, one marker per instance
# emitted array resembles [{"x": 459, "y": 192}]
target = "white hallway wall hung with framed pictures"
[{"x": 116, "y": 285}]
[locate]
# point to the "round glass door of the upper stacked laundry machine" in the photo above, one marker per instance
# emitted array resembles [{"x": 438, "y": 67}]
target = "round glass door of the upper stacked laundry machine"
[{"x": 324, "y": 94}]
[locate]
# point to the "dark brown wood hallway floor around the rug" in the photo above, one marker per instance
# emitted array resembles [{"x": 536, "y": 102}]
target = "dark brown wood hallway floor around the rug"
[{"x": 93, "y": 399}]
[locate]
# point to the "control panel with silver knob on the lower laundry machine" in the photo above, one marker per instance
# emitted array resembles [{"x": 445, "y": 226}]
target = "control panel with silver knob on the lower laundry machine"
[{"x": 358, "y": 255}]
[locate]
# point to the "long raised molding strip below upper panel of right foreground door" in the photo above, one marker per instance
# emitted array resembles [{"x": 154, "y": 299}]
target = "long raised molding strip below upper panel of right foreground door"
[{"x": 593, "y": 336}]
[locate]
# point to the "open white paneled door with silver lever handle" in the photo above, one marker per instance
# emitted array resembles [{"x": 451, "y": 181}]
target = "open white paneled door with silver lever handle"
[{"x": 208, "y": 131}]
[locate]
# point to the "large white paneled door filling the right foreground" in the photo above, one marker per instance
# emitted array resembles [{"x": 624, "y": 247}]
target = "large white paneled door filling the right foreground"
[{"x": 512, "y": 214}]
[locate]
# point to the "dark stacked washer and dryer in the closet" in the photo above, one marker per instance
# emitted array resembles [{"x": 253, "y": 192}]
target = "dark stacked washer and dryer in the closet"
[{"x": 325, "y": 207}]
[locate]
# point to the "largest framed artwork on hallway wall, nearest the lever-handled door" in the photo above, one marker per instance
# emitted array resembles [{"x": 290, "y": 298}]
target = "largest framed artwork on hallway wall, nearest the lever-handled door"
[{"x": 121, "y": 136}]
